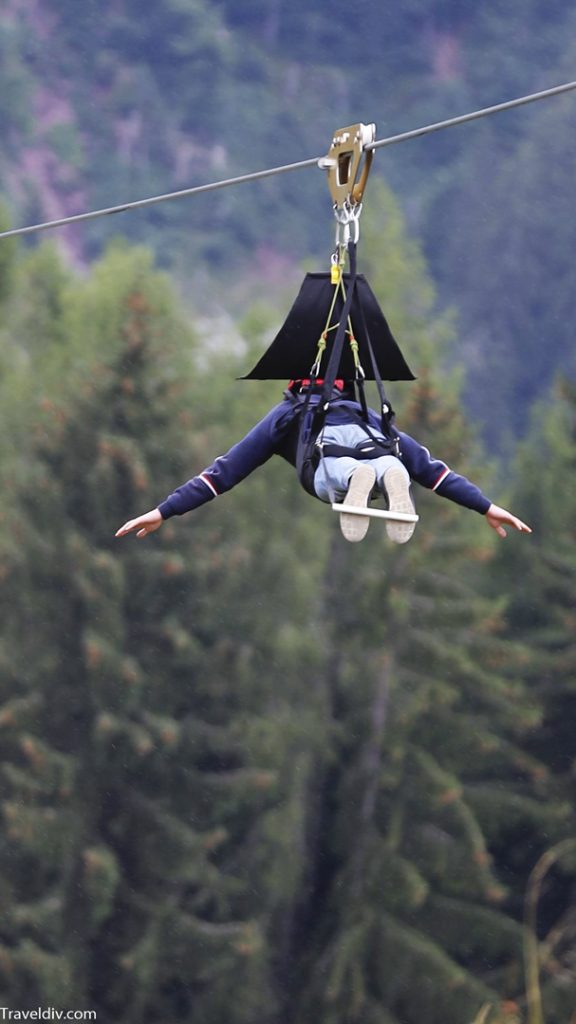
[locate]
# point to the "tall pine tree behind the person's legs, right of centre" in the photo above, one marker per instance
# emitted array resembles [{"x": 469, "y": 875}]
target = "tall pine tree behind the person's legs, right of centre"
[{"x": 408, "y": 920}]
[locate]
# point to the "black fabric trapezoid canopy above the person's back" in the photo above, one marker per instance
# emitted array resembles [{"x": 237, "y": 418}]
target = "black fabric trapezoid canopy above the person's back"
[{"x": 294, "y": 351}]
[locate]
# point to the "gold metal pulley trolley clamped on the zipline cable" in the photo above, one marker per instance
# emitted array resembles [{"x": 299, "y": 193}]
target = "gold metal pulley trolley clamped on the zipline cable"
[{"x": 347, "y": 172}]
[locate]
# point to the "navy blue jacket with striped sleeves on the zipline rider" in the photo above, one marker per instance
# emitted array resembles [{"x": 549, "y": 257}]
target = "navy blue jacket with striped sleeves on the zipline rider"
[{"x": 278, "y": 435}]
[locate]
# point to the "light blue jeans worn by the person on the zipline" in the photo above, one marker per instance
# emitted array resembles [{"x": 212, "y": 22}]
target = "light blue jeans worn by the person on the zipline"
[{"x": 333, "y": 477}]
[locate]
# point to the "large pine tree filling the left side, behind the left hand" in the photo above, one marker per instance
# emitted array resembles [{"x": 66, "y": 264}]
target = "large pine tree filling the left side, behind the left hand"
[{"x": 152, "y": 780}]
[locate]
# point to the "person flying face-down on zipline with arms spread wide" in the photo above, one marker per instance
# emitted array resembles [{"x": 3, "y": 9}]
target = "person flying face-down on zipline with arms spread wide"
[{"x": 355, "y": 464}]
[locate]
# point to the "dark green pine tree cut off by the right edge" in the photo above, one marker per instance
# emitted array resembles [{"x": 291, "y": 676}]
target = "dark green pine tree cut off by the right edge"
[{"x": 542, "y": 615}]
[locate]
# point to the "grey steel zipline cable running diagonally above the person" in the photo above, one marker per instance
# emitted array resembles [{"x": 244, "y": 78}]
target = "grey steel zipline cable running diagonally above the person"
[{"x": 313, "y": 162}]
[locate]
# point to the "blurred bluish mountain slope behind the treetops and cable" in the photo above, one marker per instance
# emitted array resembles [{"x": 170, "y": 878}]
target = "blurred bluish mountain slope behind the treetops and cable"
[{"x": 101, "y": 109}]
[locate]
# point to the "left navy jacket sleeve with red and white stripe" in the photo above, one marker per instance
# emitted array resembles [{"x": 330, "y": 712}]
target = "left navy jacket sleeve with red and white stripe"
[{"x": 228, "y": 471}]
